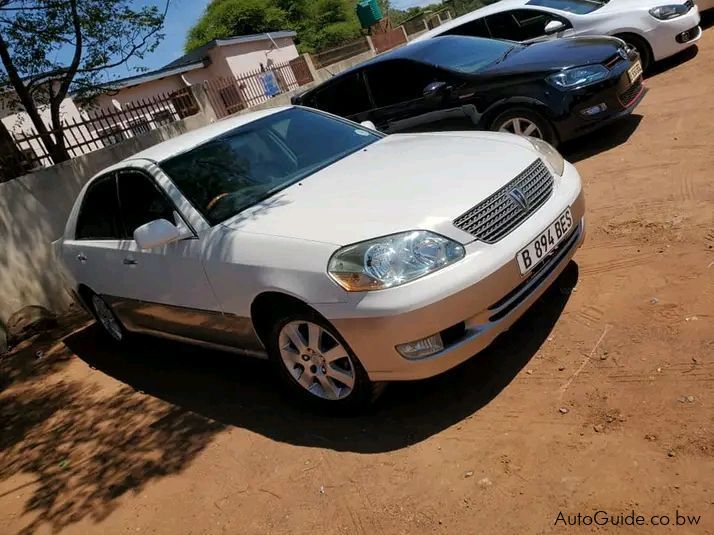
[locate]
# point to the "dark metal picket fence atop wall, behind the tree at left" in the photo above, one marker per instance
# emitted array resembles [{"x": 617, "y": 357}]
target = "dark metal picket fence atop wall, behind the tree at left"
[{"x": 99, "y": 128}]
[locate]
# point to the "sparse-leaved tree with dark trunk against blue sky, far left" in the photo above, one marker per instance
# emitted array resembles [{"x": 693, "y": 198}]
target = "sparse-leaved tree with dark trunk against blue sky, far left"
[{"x": 50, "y": 46}]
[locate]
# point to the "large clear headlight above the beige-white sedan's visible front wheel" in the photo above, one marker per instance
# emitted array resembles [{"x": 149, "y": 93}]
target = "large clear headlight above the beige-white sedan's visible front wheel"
[{"x": 392, "y": 260}]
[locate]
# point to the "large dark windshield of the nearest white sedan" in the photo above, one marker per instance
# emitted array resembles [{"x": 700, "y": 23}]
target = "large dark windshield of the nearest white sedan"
[{"x": 245, "y": 166}]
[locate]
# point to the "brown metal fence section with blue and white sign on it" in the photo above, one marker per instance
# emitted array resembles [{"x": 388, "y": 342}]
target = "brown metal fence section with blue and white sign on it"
[{"x": 232, "y": 94}]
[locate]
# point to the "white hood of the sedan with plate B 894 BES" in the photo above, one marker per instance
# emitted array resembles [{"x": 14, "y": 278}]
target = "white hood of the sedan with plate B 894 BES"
[{"x": 402, "y": 182}]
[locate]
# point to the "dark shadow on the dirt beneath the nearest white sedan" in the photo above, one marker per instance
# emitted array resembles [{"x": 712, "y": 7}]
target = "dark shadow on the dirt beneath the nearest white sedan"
[{"x": 241, "y": 392}]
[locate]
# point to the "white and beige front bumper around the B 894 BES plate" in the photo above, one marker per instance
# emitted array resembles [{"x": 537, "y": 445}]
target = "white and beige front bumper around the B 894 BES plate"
[{"x": 487, "y": 306}]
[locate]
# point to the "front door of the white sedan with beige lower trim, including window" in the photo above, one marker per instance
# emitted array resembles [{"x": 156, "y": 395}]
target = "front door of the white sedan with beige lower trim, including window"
[{"x": 164, "y": 289}]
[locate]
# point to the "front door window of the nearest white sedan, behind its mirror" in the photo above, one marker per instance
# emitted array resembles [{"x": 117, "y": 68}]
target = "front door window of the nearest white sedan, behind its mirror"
[{"x": 141, "y": 201}]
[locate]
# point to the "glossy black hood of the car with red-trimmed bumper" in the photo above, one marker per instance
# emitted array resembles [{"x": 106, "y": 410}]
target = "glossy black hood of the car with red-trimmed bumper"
[{"x": 559, "y": 54}]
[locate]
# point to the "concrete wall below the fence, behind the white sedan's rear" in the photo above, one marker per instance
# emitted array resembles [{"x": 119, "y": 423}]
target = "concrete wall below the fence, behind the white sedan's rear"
[{"x": 33, "y": 212}]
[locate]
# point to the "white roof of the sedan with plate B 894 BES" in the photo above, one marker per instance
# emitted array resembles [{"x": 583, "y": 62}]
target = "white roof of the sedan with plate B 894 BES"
[{"x": 187, "y": 141}]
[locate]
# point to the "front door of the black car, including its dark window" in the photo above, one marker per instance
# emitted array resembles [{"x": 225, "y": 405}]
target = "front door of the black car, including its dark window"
[{"x": 398, "y": 89}]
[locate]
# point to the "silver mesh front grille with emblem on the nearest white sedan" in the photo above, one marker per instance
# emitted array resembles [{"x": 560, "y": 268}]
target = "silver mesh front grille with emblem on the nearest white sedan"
[{"x": 499, "y": 214}]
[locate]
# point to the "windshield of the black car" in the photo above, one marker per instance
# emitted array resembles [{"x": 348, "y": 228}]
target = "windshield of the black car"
[{"x": 466, "y": 54}]
